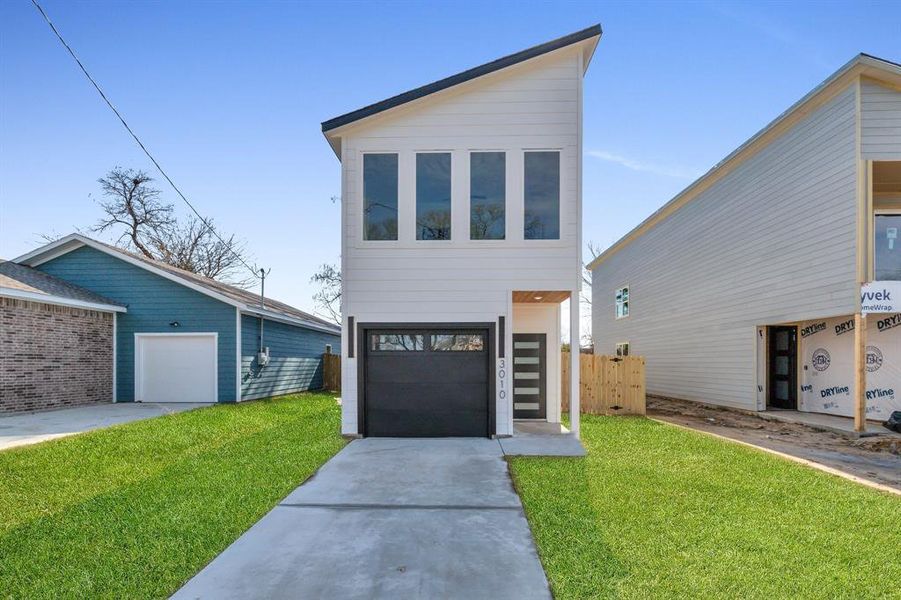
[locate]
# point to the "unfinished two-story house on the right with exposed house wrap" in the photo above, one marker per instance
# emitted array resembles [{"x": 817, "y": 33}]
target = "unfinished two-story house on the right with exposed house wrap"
[{"x": 773, "y": 282}]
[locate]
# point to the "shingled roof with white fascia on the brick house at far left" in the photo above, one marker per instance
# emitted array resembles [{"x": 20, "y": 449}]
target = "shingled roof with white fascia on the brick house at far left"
[{"x": 20, "y": 281}]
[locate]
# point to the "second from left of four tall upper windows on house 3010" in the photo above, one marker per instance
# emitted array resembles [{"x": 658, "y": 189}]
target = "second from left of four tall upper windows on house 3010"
[{"x": 433, "y": 196}]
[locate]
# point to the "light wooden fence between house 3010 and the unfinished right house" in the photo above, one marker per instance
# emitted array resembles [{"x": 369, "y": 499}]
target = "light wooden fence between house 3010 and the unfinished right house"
[{"x": 610, "y": 384}]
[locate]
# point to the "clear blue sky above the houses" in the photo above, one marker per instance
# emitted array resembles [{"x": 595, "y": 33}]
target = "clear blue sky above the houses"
[{"x": 229, "y": 96}]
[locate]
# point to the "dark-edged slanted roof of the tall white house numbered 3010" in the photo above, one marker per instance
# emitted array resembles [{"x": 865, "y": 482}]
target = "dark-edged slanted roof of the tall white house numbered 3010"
[{"x": 496, "y": 65}]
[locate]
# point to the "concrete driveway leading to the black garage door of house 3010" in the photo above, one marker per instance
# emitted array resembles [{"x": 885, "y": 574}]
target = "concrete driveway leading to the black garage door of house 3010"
[{"x": 388, "y": 518}]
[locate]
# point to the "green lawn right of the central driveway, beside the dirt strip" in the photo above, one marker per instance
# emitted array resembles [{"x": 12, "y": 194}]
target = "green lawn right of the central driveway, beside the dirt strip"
[{"x": 659, "y": 512}]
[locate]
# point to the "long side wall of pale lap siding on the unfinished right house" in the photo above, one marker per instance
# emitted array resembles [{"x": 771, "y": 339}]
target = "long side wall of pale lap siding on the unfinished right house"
[{"x": 772, "y": 241}]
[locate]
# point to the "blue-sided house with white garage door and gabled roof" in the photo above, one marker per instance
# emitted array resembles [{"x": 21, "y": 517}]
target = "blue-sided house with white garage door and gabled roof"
[{"x": 188, "y": 338}]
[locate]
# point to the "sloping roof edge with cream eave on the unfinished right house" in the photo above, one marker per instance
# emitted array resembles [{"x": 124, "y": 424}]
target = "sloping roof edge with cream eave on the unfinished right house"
[{"x": 863, "y": 65}]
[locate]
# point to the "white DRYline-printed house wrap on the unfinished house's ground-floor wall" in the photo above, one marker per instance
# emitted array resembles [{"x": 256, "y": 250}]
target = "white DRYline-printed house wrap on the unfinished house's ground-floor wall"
[{"x": 827, "y": 372}]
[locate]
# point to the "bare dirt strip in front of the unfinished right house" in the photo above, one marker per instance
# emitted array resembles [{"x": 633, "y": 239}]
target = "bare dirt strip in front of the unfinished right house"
[{"x": 877, "y": 459}]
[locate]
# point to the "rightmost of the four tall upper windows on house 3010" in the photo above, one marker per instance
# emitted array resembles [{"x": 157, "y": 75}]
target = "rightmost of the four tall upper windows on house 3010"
[{"x": 542, "y": 196}]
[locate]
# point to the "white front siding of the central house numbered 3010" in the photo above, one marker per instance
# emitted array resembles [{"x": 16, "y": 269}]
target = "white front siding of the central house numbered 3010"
[{"x": 532, "y": 106}]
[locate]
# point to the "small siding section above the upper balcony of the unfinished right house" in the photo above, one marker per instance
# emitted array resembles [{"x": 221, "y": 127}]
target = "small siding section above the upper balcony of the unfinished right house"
[{"x": 880, "y": 122}]
